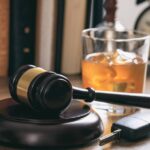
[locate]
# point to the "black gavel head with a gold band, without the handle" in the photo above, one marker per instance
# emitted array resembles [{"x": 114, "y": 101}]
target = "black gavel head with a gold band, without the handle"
[{"x": 40, "y": 89}]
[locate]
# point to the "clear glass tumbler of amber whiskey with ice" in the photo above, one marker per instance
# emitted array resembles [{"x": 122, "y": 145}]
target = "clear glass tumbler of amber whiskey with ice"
[{"x": 115, "y": 61}]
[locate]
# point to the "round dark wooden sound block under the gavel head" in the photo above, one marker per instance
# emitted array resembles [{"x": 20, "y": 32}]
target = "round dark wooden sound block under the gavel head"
[{"x": 21, "y": 126}]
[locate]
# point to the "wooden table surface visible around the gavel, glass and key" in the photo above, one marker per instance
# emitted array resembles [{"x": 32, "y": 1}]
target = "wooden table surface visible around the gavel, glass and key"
[{"x": 107, "y": 121}]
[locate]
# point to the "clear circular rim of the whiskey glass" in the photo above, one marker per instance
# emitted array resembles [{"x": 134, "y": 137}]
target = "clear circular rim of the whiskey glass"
[{"x": 144, "y": 36}]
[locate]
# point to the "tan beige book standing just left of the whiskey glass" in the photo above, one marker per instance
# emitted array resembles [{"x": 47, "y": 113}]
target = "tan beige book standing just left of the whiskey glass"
[{"x": 74, "y": 23}]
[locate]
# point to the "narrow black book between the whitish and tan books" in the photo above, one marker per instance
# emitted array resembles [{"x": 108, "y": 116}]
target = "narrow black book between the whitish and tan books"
[{"x": 59, "y": 35}]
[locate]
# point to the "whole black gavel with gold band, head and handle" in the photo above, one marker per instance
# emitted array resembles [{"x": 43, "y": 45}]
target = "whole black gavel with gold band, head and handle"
[{"x": 47, "y": 91}]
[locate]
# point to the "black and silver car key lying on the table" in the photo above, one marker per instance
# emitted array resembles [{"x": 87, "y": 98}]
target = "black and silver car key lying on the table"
[{"x": 130, "y": 128}]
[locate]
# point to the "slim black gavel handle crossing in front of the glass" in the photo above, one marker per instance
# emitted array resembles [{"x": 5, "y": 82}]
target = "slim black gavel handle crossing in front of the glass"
[{"x": 130, "y": 99}]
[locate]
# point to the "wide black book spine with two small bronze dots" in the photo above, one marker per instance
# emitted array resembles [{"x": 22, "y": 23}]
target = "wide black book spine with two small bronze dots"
[{"x": 22, "y": 33}]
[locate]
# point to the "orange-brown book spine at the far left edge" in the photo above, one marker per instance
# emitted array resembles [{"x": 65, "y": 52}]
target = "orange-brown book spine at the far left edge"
[{"x": 4, "y": 36}]
